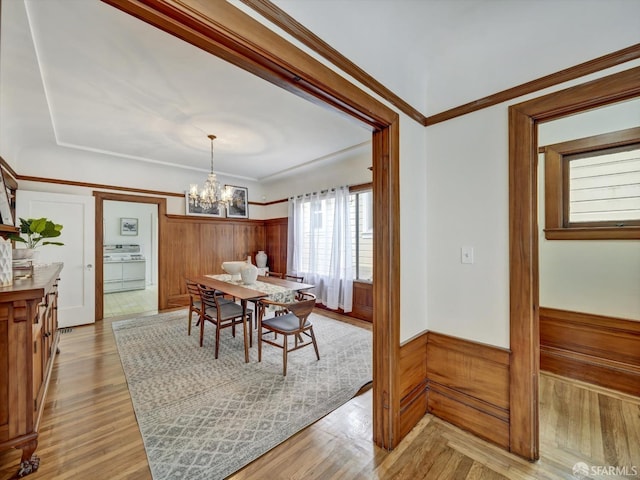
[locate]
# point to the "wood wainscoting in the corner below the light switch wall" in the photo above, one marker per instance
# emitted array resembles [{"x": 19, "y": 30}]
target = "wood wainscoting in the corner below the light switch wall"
[{"x": 463, "y": 382}]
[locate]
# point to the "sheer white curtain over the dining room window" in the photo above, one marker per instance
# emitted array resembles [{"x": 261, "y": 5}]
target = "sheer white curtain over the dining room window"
[{"x": 319, "y": 245}]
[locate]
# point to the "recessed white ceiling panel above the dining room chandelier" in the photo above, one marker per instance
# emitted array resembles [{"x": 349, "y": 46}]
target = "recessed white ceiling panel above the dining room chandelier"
[{"x": 116, "y": 85}]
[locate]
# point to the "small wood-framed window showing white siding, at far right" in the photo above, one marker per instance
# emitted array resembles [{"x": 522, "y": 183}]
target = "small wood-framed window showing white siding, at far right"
[{"x": 592, "y": 187}]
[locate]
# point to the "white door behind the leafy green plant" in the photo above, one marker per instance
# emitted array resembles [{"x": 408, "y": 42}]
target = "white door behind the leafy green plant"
[{"x": 76, "y": 213}]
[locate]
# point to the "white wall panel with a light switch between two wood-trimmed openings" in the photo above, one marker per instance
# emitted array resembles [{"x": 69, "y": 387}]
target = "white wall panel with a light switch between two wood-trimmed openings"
[{"x": 467, "y": 205}]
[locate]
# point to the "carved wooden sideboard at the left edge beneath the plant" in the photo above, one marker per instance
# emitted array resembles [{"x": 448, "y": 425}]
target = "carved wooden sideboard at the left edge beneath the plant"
[{"x": 28, "y": 343}]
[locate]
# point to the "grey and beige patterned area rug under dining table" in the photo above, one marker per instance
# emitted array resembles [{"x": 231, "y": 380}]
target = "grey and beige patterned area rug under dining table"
[{"x": 203, "y": 418}]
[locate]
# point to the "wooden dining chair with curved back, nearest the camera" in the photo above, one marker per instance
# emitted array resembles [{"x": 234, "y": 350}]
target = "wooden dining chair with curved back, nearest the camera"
[{"x": 294, "y": 323}]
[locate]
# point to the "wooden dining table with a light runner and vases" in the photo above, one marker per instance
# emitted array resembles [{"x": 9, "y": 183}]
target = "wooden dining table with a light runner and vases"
[{"x": 277, "y": 289}]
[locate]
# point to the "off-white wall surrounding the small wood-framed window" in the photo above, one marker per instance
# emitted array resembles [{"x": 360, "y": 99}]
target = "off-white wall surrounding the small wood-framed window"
[{"x": 591, "y": 276}]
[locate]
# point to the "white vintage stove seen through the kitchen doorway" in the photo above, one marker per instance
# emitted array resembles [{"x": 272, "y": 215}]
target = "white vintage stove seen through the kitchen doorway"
[{"x": 124, "y": 268}]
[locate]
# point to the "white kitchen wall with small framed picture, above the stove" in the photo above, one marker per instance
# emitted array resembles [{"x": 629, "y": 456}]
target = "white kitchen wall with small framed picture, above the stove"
[{"x": 147, "y": 237}]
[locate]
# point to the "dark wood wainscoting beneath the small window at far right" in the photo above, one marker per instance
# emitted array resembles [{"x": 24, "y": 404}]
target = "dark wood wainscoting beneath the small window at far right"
[{"x": 597, "y": 349}]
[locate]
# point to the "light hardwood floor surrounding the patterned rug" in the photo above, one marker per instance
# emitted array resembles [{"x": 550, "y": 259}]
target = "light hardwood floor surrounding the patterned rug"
[{"x": 89, "y": 431}]
